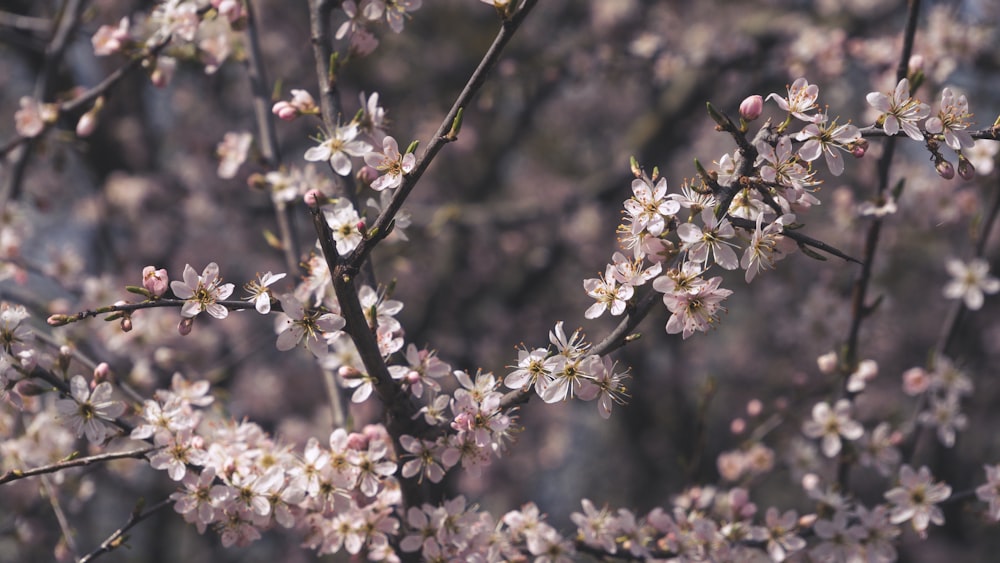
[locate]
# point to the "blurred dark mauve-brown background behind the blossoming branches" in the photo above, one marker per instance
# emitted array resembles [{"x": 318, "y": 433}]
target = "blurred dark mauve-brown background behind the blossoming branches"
[{"x": 506, "y": 224}]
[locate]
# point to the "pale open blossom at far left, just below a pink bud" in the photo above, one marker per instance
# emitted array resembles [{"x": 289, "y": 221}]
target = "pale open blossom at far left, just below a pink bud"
[{"x": 89, "y": 412}]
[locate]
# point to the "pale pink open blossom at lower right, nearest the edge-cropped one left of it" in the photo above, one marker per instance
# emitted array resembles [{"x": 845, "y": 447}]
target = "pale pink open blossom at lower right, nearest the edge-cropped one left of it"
[{"x": 915, "y": 499}]
